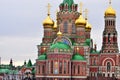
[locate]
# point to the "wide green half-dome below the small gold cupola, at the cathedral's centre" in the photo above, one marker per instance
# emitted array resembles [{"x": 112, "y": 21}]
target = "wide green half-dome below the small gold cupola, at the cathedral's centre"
[{"x": 60, "y": 45}]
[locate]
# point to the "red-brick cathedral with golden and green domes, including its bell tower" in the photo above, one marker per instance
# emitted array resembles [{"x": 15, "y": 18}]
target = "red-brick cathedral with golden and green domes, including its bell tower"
[{"x": 67, "y": 51}]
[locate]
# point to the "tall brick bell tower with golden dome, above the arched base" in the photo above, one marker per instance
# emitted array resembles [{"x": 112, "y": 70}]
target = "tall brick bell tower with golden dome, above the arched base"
[{"x": 110, "y": 44}]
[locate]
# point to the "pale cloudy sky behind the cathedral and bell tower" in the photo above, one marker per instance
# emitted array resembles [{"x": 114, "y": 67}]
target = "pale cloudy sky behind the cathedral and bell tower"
[{"x": 21, "y": 27}]
